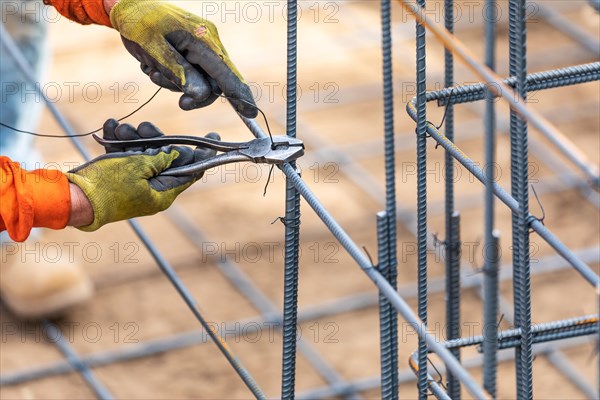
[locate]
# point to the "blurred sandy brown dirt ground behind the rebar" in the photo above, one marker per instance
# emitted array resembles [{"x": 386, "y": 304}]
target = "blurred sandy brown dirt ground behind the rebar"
[{"x": 227, "y": 218}]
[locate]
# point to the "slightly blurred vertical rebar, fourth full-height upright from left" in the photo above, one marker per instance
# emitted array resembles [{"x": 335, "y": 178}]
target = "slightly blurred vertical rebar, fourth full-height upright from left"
[{"x": 452, "y": 220}]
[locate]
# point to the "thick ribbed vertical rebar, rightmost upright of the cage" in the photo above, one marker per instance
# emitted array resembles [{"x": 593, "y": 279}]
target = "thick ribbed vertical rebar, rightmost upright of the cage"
[{"x": 520, "y": 191}]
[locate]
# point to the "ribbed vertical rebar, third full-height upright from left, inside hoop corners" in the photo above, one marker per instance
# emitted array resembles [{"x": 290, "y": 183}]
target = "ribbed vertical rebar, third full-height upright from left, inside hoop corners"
[{"x": 422, "y": 200}]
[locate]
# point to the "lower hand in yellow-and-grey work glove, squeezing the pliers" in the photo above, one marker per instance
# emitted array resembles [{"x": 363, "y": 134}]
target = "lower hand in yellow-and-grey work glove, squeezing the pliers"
[{"x": 122, "y": 185}]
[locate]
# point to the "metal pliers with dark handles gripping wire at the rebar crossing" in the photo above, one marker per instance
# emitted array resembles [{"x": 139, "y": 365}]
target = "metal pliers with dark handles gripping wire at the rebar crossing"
[{"x": 279, "y": 150}]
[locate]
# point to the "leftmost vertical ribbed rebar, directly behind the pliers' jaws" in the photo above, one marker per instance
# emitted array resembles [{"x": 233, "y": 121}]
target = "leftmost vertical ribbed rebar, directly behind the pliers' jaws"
[{"x": 292, "y": 219}]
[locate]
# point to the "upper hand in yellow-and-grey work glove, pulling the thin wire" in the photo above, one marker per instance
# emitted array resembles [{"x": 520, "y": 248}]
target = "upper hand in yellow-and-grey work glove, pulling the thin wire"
[{"x": 181, "y": 52}]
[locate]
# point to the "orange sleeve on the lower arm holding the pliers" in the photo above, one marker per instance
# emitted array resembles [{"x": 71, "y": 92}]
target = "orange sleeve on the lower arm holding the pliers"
[{"x": 40, "y": 198}]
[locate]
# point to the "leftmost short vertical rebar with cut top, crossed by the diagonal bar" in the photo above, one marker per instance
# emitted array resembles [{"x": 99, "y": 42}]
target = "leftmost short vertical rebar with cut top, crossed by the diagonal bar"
[{"x": 385, "y": 322}]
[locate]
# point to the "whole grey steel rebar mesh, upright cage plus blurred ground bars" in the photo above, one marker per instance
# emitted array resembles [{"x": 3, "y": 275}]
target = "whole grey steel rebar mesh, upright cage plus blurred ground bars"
[{"x": 392, "y": 301}]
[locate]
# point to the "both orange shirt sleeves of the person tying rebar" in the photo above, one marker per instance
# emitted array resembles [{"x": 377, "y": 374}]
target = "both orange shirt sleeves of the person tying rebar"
[{"x": 42, "y": 198}]
